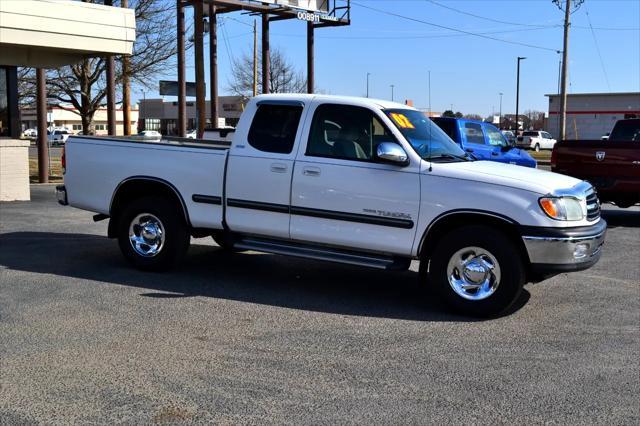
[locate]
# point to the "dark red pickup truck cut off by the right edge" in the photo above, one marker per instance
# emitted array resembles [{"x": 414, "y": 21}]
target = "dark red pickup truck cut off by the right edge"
[{"x": 612, "y": 166}]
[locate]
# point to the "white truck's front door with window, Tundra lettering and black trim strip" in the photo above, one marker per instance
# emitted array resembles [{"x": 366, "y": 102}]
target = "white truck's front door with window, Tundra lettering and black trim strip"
[{"x": 341, "y": 195}]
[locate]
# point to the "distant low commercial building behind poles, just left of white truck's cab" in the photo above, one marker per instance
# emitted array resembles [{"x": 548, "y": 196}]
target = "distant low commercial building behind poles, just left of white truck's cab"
[{"x": 160, "y": 115}]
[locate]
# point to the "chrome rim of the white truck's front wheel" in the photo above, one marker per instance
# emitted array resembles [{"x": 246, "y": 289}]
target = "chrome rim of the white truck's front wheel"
[{"x": 473, "y": 273}]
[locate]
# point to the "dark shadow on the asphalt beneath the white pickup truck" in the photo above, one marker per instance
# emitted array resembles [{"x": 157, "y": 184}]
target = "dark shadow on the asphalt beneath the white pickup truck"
[{"x": 246, "y": 277}]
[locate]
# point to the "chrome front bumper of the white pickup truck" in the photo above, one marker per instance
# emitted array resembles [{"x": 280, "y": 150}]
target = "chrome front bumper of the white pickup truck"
[{"x": 554, "y": 250}]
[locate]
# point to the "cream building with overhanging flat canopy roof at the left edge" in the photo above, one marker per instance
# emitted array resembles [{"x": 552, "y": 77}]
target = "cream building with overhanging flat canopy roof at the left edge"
[{"x": 48, "y": 34}]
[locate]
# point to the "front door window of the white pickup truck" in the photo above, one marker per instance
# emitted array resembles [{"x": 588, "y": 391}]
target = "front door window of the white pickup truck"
[{"x": 346, "y": 132}]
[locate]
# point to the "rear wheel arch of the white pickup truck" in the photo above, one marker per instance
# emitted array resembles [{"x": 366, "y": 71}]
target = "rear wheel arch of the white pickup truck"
[{"x": 136, "y": 186}]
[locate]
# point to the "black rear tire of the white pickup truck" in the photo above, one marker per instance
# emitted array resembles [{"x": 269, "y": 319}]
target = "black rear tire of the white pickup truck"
[{"x": 175, "y": 235}]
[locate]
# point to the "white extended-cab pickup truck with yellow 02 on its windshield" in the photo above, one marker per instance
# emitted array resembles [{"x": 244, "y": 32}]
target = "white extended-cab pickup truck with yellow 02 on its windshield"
[{"x": 352, "y": 180}]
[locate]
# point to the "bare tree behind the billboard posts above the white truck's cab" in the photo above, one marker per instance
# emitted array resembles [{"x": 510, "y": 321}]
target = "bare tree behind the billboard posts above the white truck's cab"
[{"x": 285, "y": 78}]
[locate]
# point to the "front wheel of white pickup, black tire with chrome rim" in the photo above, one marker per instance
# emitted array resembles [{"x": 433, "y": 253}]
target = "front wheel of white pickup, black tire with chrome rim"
[{"x": 477, "y": 270}]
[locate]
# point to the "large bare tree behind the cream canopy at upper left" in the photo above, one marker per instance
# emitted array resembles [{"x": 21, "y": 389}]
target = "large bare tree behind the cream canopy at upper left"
[{"x": 83, "y": 85}]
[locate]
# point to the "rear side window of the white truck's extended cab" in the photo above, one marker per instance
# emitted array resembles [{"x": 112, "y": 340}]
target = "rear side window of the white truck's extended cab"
[{"x": 274, "y": 128}]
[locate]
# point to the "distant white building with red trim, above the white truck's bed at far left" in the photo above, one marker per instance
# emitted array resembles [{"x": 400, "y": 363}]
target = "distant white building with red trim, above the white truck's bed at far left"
[{"x": 67, "y": 117}]
